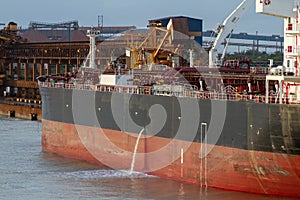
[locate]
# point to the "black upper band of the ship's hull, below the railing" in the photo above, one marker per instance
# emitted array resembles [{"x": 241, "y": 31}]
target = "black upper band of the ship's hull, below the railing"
[{"x": 248, "y": 125}]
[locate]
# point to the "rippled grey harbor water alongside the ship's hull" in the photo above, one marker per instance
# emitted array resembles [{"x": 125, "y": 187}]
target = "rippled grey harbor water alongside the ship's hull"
[{"x": 28, "y": 173}]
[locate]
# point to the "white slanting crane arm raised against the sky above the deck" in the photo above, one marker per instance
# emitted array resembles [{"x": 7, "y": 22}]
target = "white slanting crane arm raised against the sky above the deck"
[{"x": 225, "y": 29}]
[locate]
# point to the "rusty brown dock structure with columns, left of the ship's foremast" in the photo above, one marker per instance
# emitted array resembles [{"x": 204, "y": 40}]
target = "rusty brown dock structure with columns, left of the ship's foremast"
[{"x": 42, "y": 49}]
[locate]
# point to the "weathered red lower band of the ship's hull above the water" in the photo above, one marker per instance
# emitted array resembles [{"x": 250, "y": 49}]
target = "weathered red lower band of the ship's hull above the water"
[{"x": 224, "y": 167}]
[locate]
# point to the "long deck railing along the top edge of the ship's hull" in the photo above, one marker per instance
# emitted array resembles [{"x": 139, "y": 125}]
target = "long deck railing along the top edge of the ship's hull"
[{"x": 148, "y": 90}]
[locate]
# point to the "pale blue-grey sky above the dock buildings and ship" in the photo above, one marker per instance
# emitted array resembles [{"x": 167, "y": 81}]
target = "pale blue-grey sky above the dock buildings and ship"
[{"x": 135, "y": 12}]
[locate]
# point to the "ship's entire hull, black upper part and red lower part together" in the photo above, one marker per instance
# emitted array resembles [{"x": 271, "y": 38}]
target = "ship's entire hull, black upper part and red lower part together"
[{"x": 254, "y": 152}]
